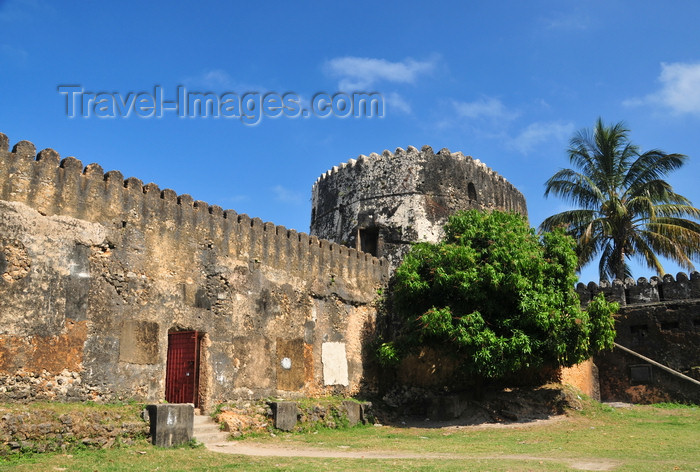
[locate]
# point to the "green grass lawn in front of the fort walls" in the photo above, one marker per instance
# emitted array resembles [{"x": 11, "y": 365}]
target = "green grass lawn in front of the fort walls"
[{"x": 642, "y": 438}]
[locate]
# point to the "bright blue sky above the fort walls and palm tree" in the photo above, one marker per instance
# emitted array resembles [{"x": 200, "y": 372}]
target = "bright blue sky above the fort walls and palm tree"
[{"x": 506, "y": 82}]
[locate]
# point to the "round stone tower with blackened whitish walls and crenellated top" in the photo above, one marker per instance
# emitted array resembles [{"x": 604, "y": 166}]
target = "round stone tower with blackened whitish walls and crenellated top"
[{"x": 382, "y": 203}]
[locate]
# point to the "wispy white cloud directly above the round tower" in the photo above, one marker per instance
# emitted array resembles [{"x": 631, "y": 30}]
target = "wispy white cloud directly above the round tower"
[{"x": 361, "y": 73}]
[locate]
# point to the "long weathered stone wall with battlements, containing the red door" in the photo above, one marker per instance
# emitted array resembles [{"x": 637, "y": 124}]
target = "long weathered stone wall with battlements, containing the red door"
[{"x": 114, "y": 289}]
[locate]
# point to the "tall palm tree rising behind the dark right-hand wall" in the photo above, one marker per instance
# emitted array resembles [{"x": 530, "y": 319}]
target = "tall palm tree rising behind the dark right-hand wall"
[{"x": 625, "y": 208}]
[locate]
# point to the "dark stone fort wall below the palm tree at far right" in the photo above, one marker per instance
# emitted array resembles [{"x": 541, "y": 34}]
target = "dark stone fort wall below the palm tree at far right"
[{"x": 659, "y": 318}]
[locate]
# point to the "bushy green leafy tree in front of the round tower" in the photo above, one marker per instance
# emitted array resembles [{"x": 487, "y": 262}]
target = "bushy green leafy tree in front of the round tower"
[{"x": 497, "y": 298}]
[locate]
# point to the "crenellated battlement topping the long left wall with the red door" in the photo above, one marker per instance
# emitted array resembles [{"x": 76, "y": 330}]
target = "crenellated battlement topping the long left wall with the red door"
[{"x": 66, "y": 187}]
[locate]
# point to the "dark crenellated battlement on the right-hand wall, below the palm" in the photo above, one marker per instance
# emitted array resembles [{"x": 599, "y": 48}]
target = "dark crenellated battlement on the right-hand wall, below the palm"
[{"x": 642, "y": 291}]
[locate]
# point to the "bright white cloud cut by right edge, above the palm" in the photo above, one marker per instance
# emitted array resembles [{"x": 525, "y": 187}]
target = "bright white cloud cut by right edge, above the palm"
[{"x": 680, "y": 89}]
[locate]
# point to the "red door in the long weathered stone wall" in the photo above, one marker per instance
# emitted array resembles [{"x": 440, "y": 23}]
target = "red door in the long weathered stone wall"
[{"x": 182, "y": 373}]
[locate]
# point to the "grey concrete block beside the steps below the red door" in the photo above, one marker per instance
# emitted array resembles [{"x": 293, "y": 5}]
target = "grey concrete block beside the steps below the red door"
[{"x": 171, "y": 423}]
